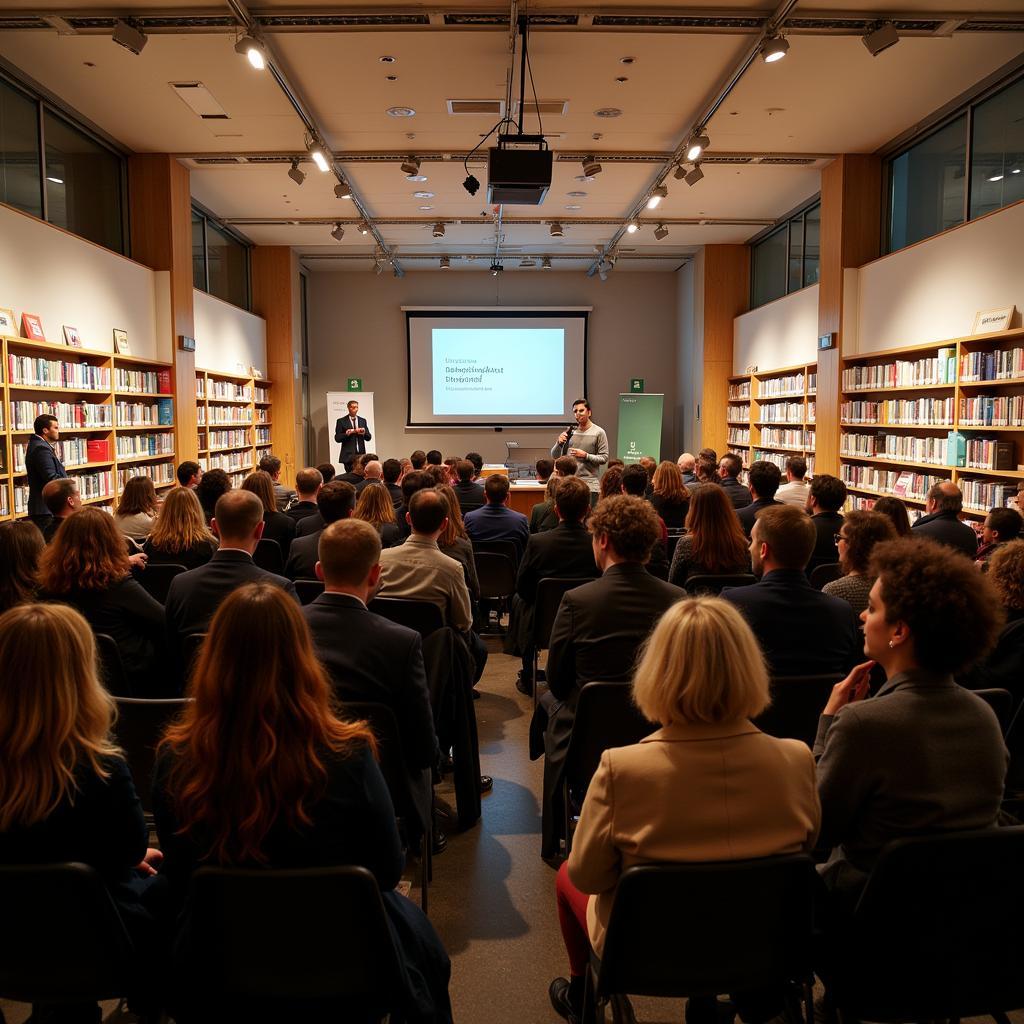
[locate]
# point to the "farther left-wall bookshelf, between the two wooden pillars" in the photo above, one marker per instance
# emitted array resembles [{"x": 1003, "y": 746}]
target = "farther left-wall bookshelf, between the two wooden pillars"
[{"x": 236, "y": 422}]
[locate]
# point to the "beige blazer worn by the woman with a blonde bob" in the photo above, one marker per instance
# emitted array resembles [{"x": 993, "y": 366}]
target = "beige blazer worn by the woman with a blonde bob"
[{"x": 692, "y": 792}]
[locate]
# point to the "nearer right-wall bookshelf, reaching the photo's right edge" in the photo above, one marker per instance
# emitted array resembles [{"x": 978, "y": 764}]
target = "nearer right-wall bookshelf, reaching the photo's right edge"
[{"x": 899, "y": 408}]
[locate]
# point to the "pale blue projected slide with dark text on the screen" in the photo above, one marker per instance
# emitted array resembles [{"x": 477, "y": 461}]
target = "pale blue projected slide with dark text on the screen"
[{"x": 533, "y": 360}]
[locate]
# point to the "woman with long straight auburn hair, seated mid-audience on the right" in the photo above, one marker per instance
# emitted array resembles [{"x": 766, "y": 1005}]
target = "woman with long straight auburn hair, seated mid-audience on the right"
[{"x": 714, "y": 543}]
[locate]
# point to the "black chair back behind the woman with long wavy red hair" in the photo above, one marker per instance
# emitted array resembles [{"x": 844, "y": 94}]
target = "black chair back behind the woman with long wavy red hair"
[{"x": 308, "y": 945}]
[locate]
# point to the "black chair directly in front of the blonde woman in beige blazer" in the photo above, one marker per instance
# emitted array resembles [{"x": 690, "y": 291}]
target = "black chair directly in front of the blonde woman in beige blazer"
[{"x": 606, "y": 717}]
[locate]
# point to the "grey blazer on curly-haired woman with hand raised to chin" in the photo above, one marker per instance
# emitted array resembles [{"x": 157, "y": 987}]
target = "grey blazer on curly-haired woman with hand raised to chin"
[{"x": 923, "y": 755}]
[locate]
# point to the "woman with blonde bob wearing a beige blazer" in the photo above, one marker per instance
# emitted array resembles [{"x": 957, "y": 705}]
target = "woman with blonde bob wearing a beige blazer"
[{"x": 702, "y": 677}]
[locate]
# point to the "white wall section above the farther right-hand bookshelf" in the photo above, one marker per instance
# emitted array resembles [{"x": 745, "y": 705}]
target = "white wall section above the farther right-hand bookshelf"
[{"x": 783, "y": 333}]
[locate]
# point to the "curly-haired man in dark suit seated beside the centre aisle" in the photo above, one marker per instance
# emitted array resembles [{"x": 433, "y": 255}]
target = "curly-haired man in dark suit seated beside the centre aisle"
[{"x": 598, "y": 631}]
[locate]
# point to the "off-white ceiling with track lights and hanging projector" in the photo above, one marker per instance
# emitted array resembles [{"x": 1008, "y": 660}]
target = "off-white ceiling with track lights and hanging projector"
[{"x": 828, "y": 97}]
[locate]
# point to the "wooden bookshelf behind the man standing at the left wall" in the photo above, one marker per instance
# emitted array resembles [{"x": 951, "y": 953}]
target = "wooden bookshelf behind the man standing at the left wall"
[{"x": 116, "y": 415}]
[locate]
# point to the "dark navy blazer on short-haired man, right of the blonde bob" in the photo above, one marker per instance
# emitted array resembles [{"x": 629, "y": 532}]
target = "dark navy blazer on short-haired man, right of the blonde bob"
[{"x": 802, "y": 632}]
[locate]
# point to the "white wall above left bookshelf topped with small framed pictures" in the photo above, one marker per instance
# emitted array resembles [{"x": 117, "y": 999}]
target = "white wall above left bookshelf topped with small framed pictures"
[{"x": 69, "y": 281}]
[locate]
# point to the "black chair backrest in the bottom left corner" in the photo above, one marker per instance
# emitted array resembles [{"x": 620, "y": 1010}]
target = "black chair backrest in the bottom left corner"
[{"x": 62, "y": 938}]
